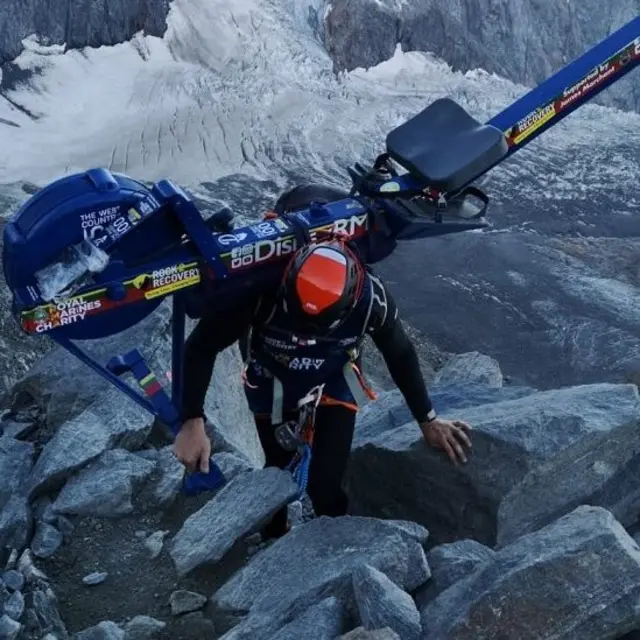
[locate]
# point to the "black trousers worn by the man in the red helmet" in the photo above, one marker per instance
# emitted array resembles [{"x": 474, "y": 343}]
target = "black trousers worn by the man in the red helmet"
[{"x": 332, "y": 440}]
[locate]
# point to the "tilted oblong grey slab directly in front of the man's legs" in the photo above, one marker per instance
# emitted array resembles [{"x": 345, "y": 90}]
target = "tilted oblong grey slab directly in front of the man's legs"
[{"x": 239, "y": 507}]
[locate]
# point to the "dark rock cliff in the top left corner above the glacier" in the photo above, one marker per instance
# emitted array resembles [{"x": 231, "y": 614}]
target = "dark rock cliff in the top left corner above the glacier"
[{"x": 78, "y": 23}]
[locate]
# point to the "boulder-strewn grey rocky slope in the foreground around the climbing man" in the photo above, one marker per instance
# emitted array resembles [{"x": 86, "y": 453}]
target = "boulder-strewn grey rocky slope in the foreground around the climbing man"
[{"x": 99, "y": 542}]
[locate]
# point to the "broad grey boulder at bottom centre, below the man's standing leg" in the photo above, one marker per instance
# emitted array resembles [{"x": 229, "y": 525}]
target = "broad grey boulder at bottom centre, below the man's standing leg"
[{"x": 315, "y": 561}]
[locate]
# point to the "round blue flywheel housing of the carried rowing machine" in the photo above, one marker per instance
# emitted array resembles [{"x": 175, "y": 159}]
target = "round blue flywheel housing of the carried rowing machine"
[{"x": 76, "y": 214}]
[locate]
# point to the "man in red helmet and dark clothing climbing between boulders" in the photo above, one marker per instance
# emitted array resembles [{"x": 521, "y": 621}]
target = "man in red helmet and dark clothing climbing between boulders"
[{"x": 301, "y": 345}]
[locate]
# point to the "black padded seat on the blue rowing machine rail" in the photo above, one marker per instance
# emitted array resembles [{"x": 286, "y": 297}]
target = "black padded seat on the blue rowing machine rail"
[{"x": 445, "y": 146}]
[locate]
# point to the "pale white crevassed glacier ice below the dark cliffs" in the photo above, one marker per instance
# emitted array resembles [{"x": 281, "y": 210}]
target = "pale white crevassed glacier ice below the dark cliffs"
[{"x": 247, "y": 87}]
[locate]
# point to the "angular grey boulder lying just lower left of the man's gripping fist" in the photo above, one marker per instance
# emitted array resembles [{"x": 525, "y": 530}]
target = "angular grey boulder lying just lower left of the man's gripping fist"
[{"x": 105, "y": 487}]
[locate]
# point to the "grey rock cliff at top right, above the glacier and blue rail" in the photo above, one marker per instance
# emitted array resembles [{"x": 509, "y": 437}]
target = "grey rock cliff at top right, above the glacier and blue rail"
[{"x": 521, "y": 40}]
